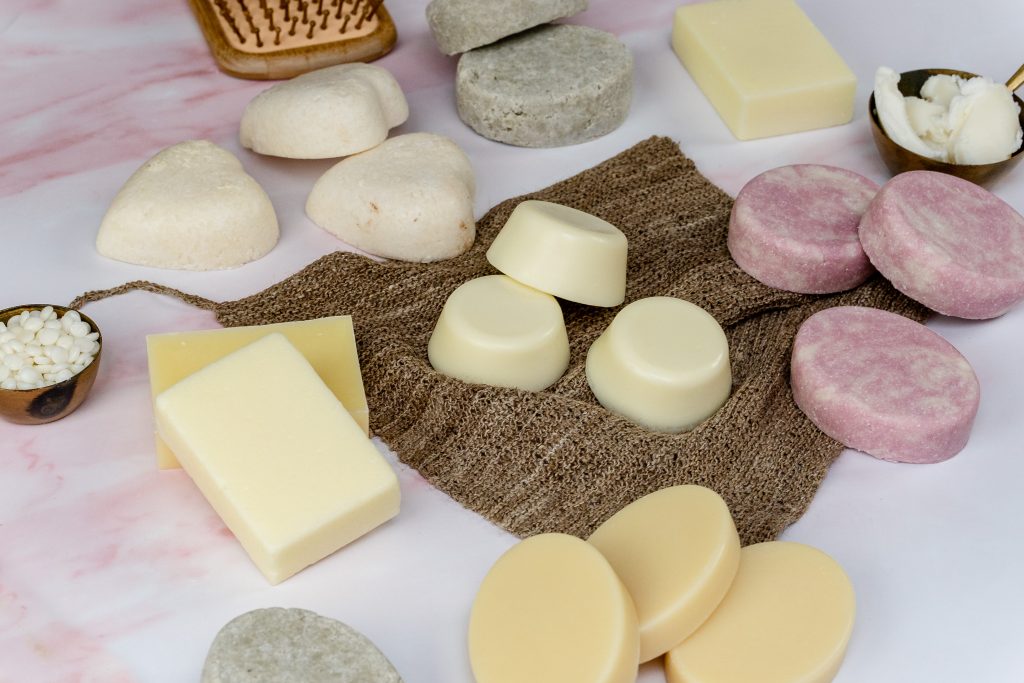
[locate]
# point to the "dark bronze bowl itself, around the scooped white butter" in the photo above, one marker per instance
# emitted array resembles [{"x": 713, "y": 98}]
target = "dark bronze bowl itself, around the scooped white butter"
[{"x": 900, "y": 159}]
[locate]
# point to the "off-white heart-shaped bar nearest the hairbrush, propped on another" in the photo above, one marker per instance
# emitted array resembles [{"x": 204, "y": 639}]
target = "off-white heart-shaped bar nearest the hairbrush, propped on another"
[{"x": 333, "y": 112}]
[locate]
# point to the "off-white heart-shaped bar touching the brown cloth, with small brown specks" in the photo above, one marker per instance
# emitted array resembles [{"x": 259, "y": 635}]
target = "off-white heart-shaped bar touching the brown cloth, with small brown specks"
[{"x": 409, "y": 199}]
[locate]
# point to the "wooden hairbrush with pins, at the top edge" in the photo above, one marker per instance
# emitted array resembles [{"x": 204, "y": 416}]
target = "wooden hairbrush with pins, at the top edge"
[{"x": 277, "y": 39}]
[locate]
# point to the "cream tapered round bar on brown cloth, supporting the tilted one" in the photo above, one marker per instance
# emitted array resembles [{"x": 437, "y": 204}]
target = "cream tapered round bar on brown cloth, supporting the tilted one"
[{"x": 496, "y": 331}]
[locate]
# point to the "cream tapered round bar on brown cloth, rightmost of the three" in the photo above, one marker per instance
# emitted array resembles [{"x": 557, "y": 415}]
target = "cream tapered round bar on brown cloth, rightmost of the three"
[{"x": 663, "y": 363}]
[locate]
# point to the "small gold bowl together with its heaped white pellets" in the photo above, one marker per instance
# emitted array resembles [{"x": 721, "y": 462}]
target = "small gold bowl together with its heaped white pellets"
[{"x": 50, "y": 358}]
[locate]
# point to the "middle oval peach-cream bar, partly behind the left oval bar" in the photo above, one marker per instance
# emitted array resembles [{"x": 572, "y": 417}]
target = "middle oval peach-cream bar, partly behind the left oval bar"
[{"x": 677, "y": 550}]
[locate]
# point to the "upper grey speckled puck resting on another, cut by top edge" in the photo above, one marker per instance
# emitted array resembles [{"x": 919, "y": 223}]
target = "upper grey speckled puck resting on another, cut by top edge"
[{"x": 462, "y": 25}]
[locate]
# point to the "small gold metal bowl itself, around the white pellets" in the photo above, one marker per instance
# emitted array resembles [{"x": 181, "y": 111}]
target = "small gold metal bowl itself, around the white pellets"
[{"x": 36, "y": 407}]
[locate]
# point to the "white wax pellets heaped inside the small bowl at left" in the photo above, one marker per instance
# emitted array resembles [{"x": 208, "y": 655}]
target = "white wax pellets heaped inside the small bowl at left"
[{"x": 38, "y": 350}]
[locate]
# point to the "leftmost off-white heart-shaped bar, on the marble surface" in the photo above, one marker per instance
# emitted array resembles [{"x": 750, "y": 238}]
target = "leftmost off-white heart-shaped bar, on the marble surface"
[{"x": 191, "y": 207}]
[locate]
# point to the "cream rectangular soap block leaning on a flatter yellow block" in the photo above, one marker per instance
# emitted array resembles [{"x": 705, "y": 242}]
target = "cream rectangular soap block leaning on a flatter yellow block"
[{"x": 277, "y": 455}]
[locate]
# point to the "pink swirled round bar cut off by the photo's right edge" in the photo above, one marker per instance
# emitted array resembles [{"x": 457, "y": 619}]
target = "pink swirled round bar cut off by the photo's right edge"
[{"x": 947, "y": 243}]
